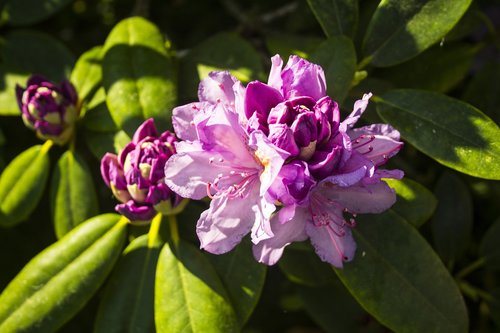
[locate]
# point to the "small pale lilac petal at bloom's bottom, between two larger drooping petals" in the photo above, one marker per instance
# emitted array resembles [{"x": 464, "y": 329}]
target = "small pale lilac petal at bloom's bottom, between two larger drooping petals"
[{"x": 269, "y": 251}]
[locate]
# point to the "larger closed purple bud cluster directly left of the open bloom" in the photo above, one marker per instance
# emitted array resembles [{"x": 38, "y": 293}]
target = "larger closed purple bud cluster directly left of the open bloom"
[{"x": 135, "y": 176}]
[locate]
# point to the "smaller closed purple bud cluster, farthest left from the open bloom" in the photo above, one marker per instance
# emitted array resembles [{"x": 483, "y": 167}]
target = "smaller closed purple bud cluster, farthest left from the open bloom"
[{"x": 51, "y": 110}]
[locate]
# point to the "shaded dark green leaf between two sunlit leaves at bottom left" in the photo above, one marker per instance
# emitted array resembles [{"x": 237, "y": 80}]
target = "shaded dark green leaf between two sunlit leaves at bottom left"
[{"x": 128, "y": 301}]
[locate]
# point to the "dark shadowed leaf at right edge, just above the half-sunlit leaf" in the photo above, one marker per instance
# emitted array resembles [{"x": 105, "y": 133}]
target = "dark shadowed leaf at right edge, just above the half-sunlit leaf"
[{"x": 484, "y": 95}]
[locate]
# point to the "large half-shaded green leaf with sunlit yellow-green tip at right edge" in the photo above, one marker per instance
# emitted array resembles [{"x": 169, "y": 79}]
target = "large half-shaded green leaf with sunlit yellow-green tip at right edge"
[{"x": 451, "y": 132}]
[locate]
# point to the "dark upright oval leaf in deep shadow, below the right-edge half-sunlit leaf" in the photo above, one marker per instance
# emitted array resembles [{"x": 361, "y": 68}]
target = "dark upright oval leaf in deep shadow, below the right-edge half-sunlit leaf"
[{"x": 451, "y": 224}]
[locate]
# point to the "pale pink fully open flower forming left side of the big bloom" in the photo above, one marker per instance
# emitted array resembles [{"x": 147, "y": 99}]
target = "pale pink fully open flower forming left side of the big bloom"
[{"x": 226, "y": 164}]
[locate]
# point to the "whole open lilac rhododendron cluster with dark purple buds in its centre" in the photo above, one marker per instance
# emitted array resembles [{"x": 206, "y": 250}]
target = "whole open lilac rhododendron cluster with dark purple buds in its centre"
[{"x": 278, "y": 163}]
